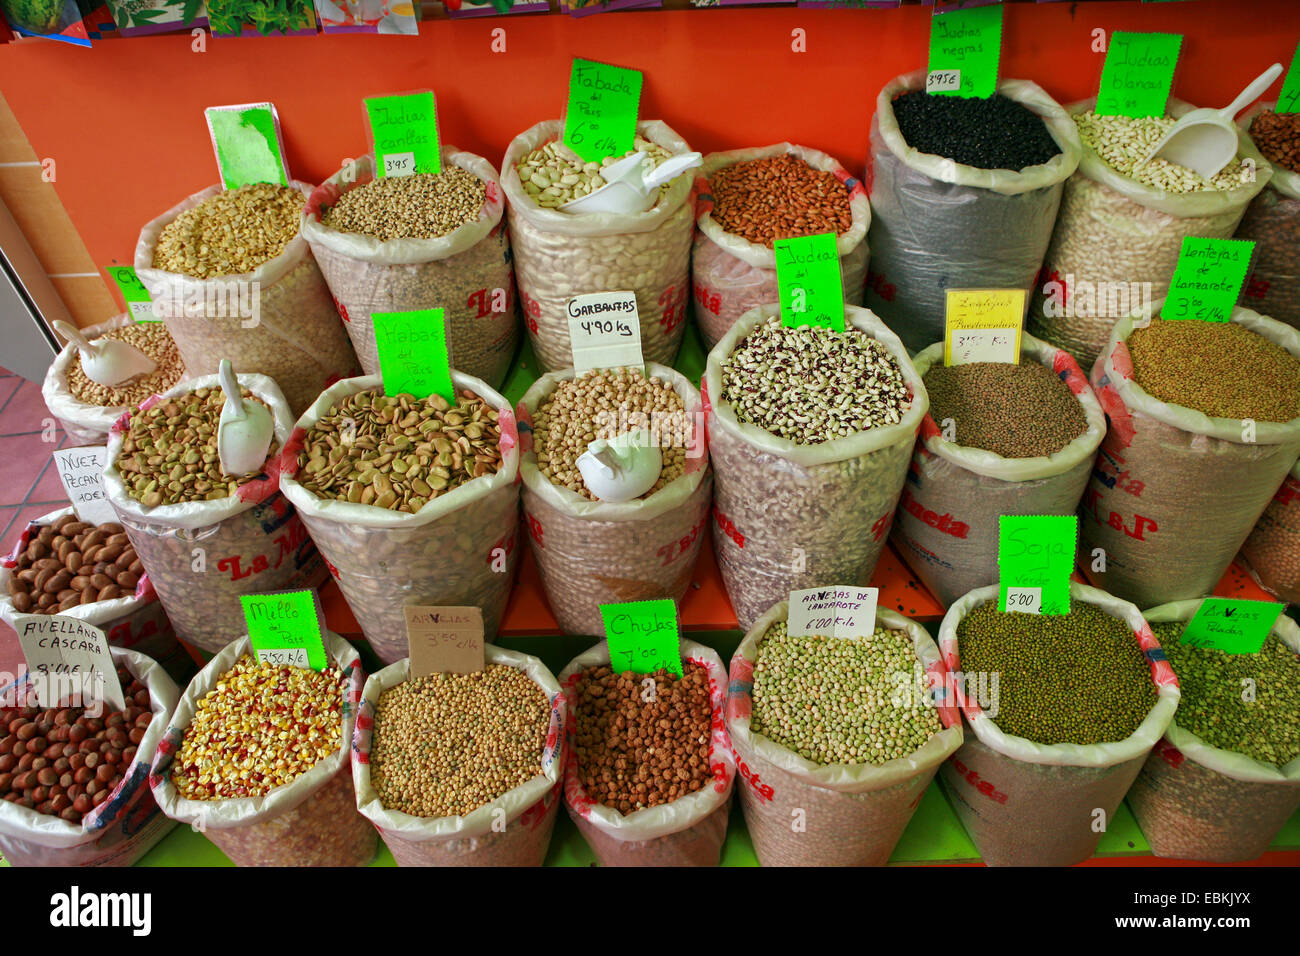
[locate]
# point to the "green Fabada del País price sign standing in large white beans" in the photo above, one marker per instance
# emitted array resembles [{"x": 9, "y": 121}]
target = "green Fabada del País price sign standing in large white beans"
[{"x": 601, "y": 119}]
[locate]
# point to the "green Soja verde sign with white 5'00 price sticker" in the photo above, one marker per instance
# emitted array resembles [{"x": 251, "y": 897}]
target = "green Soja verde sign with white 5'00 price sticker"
[{"x": 1035, "y": 553}]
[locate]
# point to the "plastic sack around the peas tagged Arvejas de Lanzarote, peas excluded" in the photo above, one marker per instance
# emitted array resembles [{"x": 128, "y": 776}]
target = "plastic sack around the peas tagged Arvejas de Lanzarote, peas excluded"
[{"x": 853, "y": 814}]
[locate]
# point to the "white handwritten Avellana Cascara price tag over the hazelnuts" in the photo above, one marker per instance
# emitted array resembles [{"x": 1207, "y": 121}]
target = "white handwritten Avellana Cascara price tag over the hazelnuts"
[{"x": 70, "y": 661}]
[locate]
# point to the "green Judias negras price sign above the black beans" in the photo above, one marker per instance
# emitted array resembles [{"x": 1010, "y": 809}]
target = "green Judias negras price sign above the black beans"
[{"x": 965, "y": 49}]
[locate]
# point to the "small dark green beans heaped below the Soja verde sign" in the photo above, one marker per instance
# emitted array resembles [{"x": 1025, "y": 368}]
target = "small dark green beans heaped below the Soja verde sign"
[{"x": 1078, "y": 678}]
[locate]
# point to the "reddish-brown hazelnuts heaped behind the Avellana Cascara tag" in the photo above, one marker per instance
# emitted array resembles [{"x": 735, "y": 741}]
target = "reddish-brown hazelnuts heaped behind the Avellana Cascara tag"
[{"x": 60, "y": 762}]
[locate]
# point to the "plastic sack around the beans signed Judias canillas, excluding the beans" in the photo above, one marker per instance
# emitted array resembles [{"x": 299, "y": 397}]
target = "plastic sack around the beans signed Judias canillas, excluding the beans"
[{"x": 467, "y": 274}]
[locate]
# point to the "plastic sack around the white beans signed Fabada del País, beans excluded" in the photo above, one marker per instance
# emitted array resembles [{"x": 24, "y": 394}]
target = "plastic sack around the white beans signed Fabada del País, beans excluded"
[{"x": 560, "y": 256}]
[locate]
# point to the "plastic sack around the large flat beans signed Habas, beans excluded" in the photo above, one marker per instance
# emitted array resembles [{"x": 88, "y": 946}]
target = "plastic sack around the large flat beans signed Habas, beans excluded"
[{"x": 460, "y": 550}]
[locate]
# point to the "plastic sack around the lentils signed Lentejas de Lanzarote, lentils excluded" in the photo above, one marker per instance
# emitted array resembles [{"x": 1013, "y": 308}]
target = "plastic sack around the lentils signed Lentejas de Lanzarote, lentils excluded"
[{"x": 1175, "y": 494}]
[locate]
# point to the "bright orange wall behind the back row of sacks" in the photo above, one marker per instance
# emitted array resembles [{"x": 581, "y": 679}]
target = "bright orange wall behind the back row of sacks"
[{"x": 124, "y": 120}]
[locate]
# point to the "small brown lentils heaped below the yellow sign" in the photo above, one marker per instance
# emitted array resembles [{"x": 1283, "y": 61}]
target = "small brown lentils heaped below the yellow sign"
[{"x": 1012, "y": 410}]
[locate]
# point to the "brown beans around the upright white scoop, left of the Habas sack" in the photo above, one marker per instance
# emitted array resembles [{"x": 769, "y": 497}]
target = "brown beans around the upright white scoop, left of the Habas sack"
[{"x": 170, "y": 453}]
